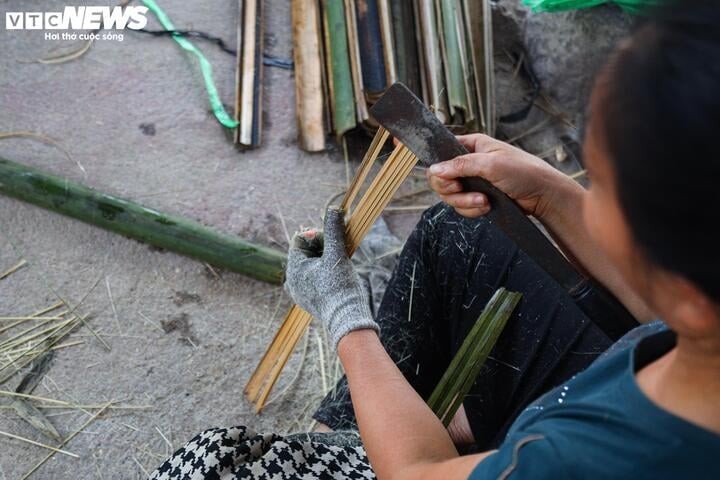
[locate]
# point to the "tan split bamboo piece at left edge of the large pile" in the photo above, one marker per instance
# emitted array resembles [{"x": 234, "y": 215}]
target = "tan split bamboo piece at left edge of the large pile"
[{"x": 309, "y": 107}]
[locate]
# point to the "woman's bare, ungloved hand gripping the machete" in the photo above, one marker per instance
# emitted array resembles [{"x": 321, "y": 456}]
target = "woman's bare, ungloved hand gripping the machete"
[{"x": 523, "y": 177}]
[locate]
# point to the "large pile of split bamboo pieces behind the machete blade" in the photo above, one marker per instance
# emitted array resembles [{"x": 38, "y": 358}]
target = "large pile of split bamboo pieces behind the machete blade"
[{"x": 347, "y": 52}]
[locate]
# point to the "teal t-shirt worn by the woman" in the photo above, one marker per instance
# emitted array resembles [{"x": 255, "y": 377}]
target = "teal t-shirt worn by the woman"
[{"x": 601, "y": 425}]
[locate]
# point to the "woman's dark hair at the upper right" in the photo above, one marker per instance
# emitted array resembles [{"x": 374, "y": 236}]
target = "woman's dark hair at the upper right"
[{"x": 659, "y": 112}]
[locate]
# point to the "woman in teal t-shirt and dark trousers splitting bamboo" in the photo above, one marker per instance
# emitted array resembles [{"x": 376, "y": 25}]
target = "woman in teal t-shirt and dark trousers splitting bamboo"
[{"x": 648, "y": 408}]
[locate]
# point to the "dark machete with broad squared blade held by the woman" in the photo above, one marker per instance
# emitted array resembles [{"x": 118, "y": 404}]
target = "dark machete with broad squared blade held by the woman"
[{"x": 408, "y": 119}]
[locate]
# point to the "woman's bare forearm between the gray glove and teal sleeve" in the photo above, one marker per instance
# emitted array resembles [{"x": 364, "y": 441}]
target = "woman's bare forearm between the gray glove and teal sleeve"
[{"x": 402, "y": 436}]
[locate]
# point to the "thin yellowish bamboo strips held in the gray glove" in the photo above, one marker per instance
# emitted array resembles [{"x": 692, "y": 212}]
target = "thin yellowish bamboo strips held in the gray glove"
[{"x": 359, "y": 220}]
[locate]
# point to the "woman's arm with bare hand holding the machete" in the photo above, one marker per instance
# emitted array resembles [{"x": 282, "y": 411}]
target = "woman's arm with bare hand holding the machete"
[{"x": 541, "y": 191}]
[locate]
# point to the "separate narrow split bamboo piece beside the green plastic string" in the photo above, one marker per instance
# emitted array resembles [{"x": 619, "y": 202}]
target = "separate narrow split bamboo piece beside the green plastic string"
[{"x": 249, "y": 74}]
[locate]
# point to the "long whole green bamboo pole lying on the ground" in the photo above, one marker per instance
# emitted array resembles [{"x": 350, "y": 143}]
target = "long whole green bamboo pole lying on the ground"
[{"x": 173, "y": 233}]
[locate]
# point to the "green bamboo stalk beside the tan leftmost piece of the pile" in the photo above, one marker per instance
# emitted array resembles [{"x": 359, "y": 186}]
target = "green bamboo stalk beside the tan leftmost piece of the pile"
[{"x": 337, "y": 58}]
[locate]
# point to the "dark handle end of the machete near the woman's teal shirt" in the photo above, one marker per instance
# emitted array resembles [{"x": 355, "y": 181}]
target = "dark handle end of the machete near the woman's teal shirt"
[{"x": 603, "y": 309}]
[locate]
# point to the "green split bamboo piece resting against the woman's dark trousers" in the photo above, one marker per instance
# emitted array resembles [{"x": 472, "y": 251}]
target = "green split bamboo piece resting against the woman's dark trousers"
[{"x": 465, "y": 366}]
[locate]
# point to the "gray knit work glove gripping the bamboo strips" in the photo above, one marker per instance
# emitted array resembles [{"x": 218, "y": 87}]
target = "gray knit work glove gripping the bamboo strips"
[{"x": 320, "y": 278}]
